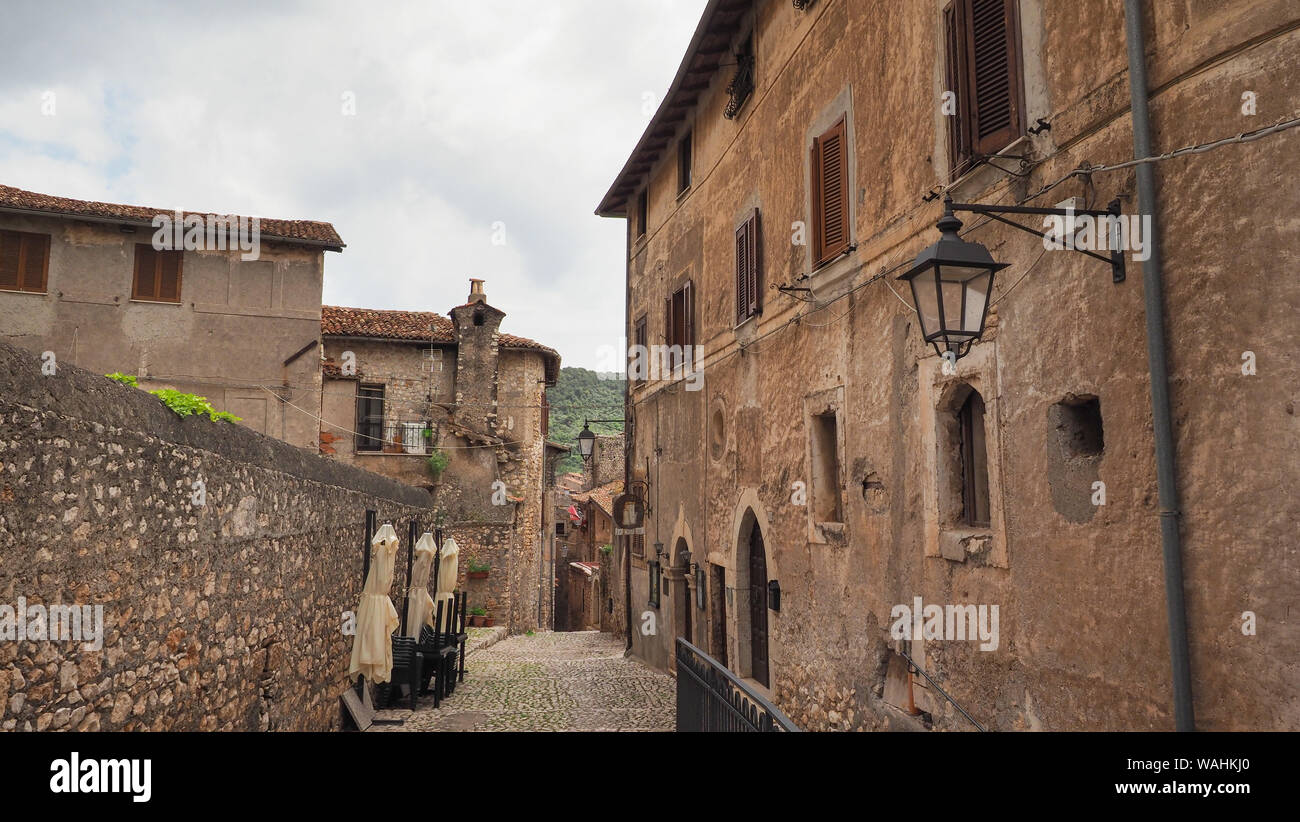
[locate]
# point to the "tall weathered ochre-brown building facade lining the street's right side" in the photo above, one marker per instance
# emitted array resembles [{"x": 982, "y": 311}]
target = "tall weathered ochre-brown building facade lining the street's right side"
[{"x": 816, "y": 442}]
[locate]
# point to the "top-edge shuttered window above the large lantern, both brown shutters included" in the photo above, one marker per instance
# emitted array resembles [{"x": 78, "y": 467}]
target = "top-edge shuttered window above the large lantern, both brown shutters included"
[{"x": 983, "y": 71}]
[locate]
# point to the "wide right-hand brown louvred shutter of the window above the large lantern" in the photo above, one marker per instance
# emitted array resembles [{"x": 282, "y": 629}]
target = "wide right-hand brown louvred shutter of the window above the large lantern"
[{"x": 993, "y": 73}]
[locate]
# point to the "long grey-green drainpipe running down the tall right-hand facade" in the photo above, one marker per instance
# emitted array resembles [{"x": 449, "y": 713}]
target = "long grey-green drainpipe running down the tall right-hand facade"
[{"x": 1155, "y": 312}]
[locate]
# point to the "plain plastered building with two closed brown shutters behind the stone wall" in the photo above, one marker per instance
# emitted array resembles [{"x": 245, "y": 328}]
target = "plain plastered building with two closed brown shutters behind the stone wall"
[{"x": 242, "y": 332}]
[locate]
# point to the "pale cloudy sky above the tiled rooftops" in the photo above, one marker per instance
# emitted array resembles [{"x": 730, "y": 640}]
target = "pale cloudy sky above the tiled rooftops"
[{"x": 466, "y": 115}]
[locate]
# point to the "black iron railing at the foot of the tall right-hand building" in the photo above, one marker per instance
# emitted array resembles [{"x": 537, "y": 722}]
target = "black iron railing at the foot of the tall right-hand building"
[{"x": 712, "y": 699}]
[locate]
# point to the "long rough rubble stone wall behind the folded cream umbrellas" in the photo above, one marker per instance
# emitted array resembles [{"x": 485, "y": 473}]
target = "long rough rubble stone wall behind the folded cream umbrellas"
[{"x": 218, "y": 617}]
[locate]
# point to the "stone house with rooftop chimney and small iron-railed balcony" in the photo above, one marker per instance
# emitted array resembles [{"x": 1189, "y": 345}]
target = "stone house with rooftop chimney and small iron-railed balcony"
[{"x": 405, "y": 387}]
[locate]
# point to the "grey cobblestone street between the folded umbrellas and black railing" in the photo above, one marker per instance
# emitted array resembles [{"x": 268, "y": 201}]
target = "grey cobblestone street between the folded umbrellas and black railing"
[{"x": 549, "y": 682}]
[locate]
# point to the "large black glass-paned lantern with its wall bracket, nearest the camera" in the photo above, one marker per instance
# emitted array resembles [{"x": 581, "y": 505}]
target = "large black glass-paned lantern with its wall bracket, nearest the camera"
[{"x": 952, "y": 280}]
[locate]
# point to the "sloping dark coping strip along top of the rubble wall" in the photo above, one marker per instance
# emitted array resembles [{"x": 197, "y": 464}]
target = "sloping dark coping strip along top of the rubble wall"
[{"x": 81, "y": 395}]
